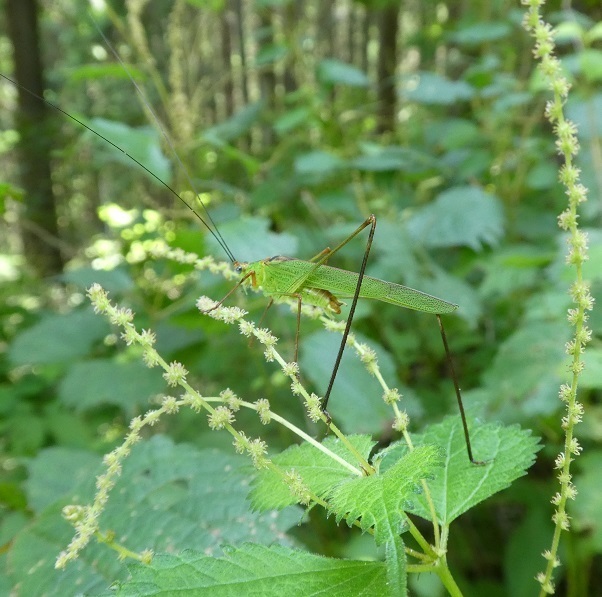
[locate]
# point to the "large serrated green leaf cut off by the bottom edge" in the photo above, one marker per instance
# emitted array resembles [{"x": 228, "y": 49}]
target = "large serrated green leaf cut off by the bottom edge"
[{"x": 256, "y": 570}]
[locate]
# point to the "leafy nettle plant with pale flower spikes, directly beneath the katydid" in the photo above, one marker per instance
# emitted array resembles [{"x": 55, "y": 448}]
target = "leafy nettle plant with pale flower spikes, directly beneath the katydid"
[{"x": 379, "y": 491}]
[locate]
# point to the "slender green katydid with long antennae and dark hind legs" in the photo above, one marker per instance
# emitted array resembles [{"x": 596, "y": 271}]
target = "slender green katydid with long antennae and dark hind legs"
[{"x": 307, "y": 281}]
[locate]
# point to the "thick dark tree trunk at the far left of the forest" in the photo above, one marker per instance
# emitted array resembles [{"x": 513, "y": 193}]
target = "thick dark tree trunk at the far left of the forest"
[{"x": 39, "y": 229}]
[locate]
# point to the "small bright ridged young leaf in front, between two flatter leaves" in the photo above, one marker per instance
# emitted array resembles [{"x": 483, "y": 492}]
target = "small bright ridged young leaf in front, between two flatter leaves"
[{"x": 379, "y": 500}]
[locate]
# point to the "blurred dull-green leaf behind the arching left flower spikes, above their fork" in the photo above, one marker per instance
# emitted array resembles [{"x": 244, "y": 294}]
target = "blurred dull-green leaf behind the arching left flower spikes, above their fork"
[{"x": 89, "y": 384}]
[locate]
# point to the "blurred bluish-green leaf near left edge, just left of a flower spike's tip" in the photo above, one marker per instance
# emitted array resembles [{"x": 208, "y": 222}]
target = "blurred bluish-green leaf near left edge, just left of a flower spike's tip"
[{"x": 58, "y": 338}]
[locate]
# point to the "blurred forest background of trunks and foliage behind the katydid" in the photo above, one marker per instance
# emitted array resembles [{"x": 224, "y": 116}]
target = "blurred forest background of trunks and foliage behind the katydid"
[{"x": 296, "y": 120}]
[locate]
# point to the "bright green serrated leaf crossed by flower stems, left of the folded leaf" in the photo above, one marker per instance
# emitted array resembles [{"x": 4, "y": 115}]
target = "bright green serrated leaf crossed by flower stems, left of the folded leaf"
[{"x": 318, "y": 470}]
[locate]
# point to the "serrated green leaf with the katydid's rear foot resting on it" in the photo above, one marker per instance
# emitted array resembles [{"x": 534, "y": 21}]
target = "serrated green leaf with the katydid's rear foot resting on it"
[{"x": 508, "y": 452}]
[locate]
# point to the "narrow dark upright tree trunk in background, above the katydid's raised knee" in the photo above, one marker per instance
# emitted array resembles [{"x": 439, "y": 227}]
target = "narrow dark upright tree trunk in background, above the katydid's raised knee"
[{"x": 387, "y": 63}]
